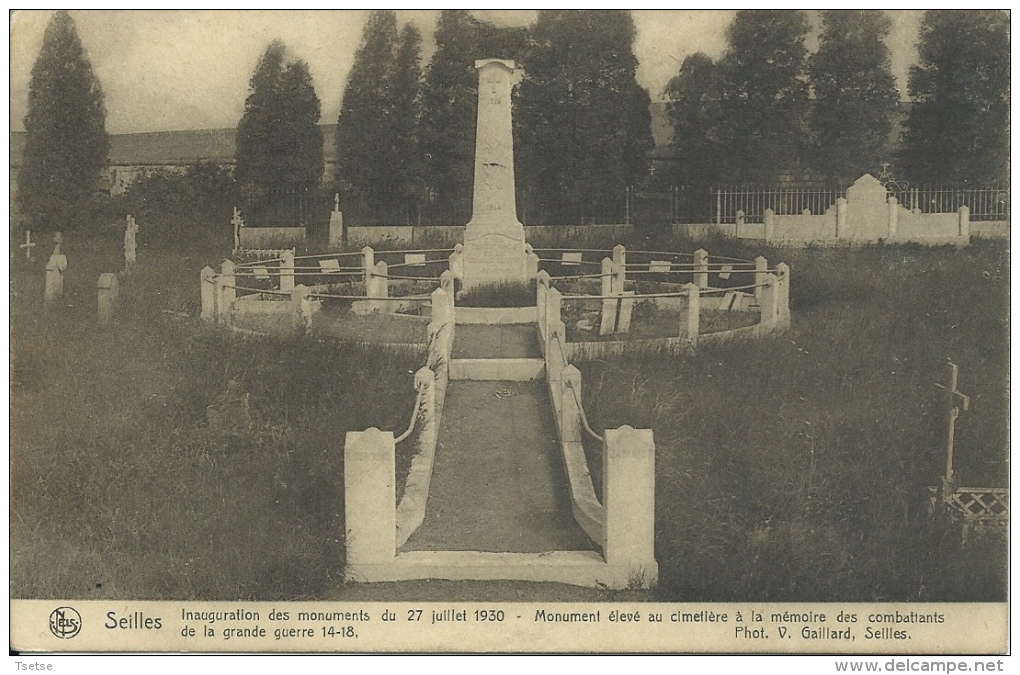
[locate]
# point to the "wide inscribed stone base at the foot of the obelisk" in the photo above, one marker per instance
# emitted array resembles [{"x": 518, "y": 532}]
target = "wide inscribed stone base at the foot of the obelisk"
[{"x": 495, "y": 255}]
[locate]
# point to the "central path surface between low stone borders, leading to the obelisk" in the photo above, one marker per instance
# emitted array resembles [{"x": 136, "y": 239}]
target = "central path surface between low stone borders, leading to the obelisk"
[{"x": 499, "y": 483}]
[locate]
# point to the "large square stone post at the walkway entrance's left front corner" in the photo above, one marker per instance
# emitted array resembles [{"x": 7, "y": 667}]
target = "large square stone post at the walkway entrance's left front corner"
[{"x": 370, "y": 497}]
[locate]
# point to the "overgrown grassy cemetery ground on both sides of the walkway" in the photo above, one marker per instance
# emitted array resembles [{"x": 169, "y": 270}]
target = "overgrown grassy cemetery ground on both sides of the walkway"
[{"x": 792, "y": 469}]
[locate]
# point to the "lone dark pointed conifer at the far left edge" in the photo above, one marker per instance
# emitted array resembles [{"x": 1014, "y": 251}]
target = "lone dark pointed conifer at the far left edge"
[{"x": 67, "y": 145}]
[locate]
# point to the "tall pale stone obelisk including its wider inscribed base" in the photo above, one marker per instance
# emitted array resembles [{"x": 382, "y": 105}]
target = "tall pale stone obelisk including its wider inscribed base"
[{"x": 494, "y": 241}]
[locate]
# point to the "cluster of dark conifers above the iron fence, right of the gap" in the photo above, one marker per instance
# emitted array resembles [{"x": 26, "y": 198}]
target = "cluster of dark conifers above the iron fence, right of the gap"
[{"x": 767, "y": 109}]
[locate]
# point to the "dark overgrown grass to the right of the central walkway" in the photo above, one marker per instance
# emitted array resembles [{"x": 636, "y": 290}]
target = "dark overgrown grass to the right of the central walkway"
[{"x": 796, "y": 468}]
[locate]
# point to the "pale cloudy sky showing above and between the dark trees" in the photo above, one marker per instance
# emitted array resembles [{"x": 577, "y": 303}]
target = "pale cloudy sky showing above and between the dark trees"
[{"x": 182, "y": 70}]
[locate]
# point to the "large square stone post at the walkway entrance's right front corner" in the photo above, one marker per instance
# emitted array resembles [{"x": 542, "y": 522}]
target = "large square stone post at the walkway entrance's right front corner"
[{"x": 629, "y": 497}]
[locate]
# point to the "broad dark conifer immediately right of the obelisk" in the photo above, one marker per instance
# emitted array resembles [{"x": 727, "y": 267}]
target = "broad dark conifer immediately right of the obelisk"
[{"x": 584, "y": 124}]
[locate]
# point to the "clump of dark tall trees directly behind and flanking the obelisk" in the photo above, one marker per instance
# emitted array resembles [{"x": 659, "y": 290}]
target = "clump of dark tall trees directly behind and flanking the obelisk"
[{"x": 406, "y": 140}]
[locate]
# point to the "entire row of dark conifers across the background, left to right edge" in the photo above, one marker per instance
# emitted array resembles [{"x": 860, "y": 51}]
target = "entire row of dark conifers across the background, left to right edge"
[{"x": 405, "y": 137}]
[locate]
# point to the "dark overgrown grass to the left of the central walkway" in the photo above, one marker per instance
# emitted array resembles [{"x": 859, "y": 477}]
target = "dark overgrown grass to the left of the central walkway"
[{"x": 123, "y": 486}]
